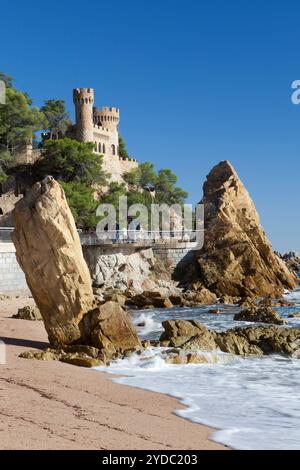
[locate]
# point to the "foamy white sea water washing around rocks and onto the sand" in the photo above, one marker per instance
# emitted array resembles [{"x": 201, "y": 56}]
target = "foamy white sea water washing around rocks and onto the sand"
[{"x": 254, "y": 402}]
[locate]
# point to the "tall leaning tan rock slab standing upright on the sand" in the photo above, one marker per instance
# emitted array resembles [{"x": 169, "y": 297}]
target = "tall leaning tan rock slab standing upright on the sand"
[{"x": 49, "y": 252}]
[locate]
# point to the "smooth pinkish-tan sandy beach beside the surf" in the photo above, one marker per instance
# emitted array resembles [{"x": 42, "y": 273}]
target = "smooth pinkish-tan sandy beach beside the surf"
[{"x": 52, "y": 405}]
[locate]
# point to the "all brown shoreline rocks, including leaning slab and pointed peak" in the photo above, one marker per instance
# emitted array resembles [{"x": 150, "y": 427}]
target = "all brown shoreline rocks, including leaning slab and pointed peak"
[{"x": 89, "y": 327}]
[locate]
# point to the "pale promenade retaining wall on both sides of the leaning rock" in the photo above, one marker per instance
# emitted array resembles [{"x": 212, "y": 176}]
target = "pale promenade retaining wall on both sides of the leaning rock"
[{"x": 108, "y": 263}]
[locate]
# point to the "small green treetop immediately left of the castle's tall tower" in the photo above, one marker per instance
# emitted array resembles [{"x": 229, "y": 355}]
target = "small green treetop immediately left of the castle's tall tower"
[{"x": 57, "y": 118}]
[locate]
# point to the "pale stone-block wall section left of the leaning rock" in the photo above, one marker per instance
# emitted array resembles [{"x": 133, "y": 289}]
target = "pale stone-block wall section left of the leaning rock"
[{"x": 12, "y": 278}]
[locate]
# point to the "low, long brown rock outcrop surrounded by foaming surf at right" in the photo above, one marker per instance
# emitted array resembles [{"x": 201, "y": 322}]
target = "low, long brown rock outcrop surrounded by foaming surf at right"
[{"x": 261, "y": 340}]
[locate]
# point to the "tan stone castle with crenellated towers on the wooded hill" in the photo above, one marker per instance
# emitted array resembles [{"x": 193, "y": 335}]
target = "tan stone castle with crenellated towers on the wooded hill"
[{"x": 100, "y": 127}]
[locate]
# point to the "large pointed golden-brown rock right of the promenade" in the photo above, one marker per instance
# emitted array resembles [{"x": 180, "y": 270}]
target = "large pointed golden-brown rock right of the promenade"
[{"x": 237, "y": 259}]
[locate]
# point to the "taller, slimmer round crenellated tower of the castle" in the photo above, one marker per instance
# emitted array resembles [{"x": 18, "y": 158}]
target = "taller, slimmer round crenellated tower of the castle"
[{"x": 83, "y": 99}]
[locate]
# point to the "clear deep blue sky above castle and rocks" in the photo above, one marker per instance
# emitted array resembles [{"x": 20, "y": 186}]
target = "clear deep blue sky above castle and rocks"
[{"x": 197, "y": 81}]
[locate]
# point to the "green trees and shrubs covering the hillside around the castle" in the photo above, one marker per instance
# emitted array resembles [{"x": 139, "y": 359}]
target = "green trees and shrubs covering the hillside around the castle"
[{"x": 73, "y": 163}]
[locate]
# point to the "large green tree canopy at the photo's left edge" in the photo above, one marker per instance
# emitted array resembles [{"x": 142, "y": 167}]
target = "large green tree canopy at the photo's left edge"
[{"x": 19, "y": 121}]
